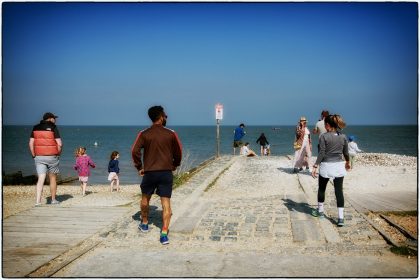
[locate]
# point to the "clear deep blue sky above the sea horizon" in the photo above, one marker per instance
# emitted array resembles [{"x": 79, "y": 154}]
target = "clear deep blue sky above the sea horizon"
[{"x": 267, "y": 63}]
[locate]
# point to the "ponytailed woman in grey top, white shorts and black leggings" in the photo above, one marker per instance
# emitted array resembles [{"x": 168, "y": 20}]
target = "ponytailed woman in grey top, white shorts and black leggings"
[{"x": 333, "y": 146}]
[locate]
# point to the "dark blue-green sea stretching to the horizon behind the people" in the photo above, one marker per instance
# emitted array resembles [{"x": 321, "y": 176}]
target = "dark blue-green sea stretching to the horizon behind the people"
[{"x": 199, "y": 144}]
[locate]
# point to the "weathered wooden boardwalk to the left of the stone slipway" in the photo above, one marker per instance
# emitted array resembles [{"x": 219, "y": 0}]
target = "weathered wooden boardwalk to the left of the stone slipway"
[{"x": 38, "y": 235}]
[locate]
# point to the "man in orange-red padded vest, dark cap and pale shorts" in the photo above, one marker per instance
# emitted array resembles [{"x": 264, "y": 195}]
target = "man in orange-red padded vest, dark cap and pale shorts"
[{"x": 45, "y": 145}]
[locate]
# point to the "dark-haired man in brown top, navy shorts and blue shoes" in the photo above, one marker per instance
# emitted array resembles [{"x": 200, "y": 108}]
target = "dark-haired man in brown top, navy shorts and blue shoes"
[{"x": 162, "y": 154}]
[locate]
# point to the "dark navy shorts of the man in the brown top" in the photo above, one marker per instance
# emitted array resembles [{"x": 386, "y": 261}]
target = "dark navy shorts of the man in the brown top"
[{"x": 159, "y": 181}]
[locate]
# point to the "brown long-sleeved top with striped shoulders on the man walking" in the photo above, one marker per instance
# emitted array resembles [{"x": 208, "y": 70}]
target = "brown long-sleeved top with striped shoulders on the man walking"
[{"x": 161, "y": 146}]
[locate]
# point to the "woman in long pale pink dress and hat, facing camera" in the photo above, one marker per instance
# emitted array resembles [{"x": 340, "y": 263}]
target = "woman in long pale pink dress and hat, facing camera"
[{"x": 302, "y": 146}]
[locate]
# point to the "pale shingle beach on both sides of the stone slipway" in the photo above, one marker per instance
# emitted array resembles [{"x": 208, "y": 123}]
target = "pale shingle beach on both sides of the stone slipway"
[{"x": 373, "y": 172}]
